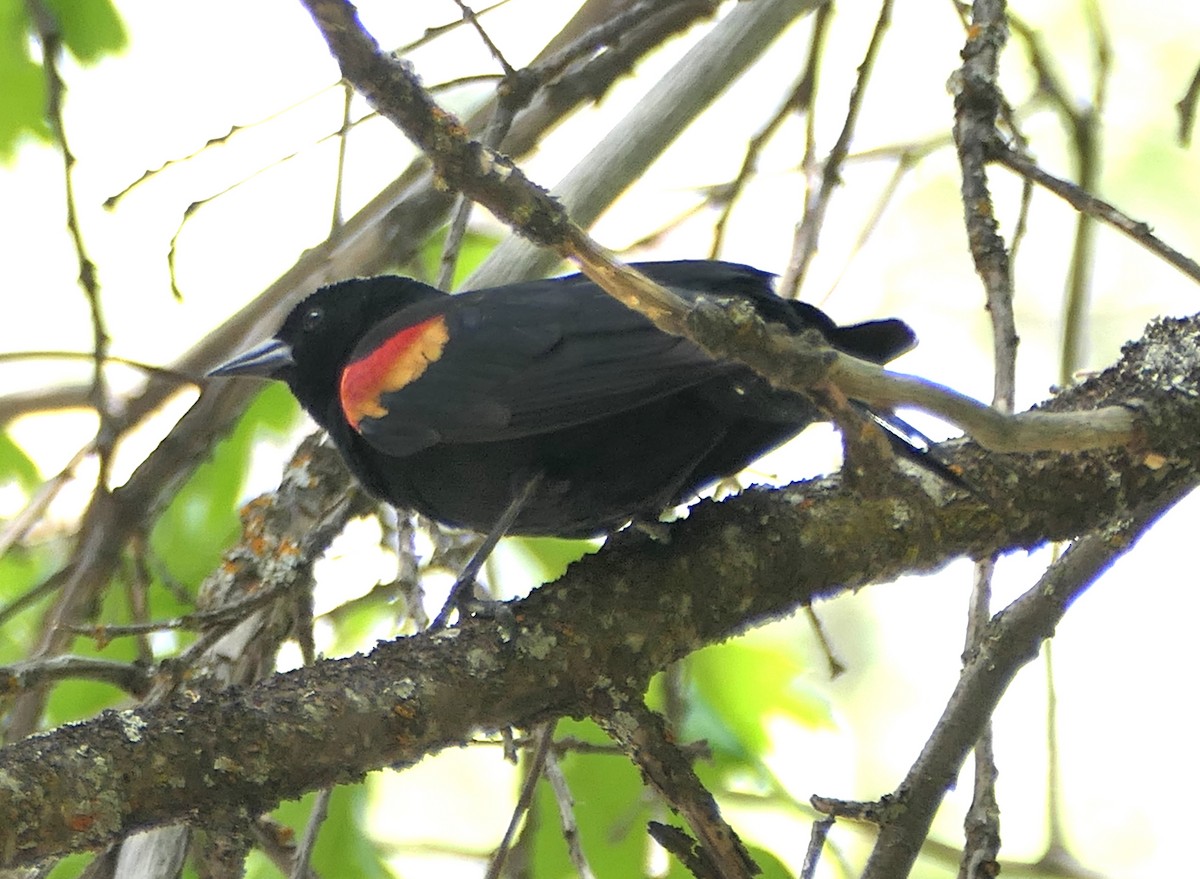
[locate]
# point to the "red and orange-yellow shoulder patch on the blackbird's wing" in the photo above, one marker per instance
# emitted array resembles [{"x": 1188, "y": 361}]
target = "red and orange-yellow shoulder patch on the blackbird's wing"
[{"x": 399, "y": 361}]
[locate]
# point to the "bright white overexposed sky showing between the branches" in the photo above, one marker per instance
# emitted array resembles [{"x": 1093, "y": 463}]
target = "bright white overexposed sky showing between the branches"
[{"x": 1123, "y": 654}]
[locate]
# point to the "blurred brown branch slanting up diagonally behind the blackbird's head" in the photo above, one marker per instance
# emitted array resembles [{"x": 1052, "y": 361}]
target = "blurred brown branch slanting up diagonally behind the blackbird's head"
[{"x": 385, "y": 231}]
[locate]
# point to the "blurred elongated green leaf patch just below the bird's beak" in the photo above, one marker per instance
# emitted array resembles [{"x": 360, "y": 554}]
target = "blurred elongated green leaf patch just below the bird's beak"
[{"x": 202, "y": 519}]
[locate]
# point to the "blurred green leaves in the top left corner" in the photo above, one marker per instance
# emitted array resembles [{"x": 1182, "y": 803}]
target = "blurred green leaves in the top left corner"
[{"x": 91, "y": 31}]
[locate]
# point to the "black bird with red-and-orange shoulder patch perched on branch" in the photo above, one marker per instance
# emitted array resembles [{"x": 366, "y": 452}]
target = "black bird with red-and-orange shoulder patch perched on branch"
[{"x": 455, "y": 405}]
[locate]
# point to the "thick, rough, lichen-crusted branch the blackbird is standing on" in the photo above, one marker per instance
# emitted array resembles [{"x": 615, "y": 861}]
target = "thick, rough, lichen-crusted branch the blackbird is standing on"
[{"x": 213, "y": 757}]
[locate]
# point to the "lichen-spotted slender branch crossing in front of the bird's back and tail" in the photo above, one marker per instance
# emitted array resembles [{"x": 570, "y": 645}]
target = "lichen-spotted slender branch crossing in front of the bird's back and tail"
[{"x": 784, "y": 360}]
